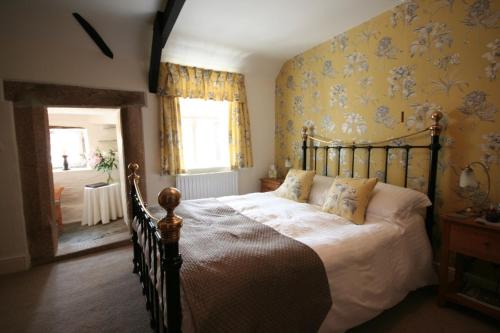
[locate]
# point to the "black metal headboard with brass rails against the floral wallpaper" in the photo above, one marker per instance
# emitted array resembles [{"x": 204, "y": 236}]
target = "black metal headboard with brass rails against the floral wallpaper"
[{"x": 311, "y": 150}]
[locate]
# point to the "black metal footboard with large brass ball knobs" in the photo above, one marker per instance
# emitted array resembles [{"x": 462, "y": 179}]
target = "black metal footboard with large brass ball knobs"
[{"x": 159, "y": 274}]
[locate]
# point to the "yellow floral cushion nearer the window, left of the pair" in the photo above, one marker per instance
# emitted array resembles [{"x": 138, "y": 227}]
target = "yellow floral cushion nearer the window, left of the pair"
[{"x": 297, "y": 185}]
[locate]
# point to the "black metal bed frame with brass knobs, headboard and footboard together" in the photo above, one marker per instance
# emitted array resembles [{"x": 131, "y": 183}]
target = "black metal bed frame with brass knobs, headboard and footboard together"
[{"x": 159, "y": 274}]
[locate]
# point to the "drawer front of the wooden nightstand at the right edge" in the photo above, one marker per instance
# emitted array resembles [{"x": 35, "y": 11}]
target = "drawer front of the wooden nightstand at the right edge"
[{"x": 475, "y": 242}]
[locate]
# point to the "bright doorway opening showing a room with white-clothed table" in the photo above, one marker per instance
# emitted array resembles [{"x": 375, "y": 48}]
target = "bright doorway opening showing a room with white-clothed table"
[{"x": 88, "y": 175}]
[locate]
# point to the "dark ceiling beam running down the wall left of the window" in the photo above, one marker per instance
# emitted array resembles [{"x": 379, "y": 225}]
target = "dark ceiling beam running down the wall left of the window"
[{"x": 163, "y": 25}]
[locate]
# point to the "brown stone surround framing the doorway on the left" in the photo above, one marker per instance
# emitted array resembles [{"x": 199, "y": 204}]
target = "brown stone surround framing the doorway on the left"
[{"x": 30, "y": 101}]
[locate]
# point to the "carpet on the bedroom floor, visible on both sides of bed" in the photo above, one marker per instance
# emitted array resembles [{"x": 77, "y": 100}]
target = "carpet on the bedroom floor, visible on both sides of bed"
[{"x": 98, "y": 293}]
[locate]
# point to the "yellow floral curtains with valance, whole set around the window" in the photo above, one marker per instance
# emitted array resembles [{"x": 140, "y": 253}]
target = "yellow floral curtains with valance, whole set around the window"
[{"x": 177, "y": 81}]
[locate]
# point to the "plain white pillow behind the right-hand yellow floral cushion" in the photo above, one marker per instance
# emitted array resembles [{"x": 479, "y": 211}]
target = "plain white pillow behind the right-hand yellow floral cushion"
[{"x": 396, "y": 204}]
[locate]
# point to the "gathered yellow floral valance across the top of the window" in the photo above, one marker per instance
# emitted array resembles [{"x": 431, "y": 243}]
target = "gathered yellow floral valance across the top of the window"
[{"x": 192, "y": 82}]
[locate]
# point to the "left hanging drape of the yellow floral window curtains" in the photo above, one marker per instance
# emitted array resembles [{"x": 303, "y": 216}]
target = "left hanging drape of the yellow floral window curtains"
[{"x": 170, "y": 136}]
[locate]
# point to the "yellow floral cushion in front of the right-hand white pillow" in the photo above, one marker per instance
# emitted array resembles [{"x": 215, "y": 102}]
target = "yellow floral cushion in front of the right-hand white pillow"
[{"x": 348, "y": 197}]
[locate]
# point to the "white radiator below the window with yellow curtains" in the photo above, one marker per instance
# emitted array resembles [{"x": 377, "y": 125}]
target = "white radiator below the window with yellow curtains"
[{"x": 207, "y": 185}]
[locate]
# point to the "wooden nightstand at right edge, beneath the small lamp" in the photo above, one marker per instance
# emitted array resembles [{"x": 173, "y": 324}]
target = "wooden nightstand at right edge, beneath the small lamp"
[{"x": 464, "y": 237}]
